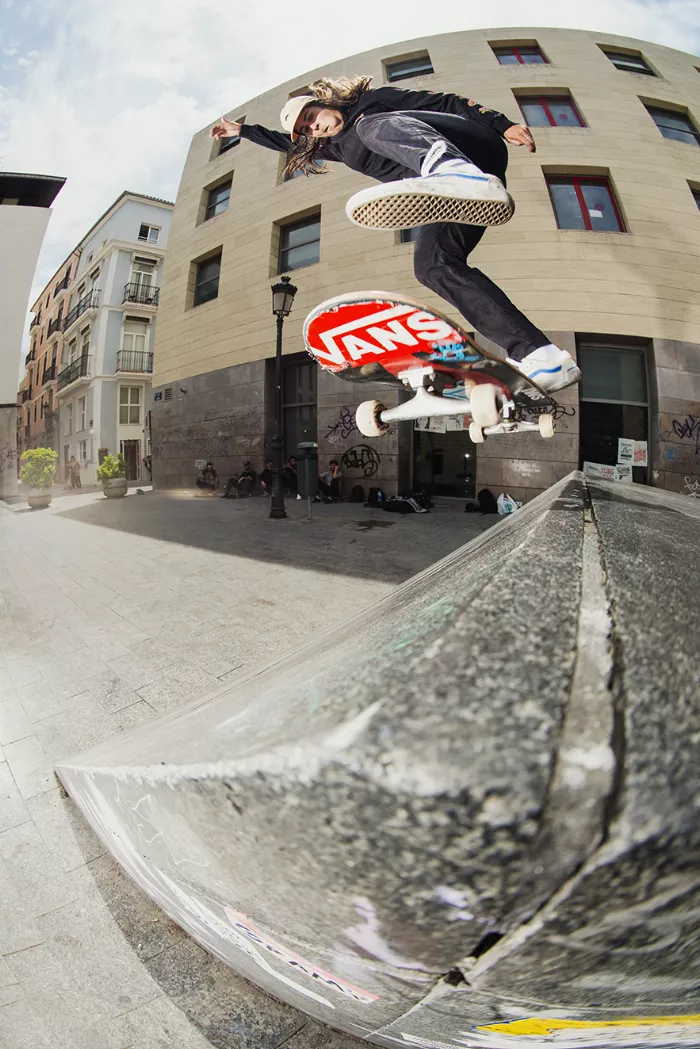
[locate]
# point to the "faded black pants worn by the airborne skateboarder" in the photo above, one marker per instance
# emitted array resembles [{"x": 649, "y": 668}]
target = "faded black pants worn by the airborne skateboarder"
[{"x": 441, "y": 250}]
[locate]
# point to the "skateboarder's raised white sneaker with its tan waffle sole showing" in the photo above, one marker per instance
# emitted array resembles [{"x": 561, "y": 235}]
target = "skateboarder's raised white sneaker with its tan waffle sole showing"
[{"x": 455, "y": 191}]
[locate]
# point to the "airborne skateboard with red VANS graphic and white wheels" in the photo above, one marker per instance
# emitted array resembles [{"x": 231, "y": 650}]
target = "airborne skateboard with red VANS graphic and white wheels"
[{"x": 380, "y": 337}]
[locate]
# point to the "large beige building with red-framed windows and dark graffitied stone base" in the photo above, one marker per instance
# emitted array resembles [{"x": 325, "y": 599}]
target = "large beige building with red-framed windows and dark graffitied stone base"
[{"x": 603, "y": 254}]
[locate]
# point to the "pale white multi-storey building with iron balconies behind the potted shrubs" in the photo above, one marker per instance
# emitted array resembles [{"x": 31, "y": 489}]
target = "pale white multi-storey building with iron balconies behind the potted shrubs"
[{"x": 104, "y": 383}]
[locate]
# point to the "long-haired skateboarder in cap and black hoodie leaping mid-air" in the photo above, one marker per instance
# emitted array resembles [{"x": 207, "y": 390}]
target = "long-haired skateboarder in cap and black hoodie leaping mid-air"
[{"x": 437, "y": 157}]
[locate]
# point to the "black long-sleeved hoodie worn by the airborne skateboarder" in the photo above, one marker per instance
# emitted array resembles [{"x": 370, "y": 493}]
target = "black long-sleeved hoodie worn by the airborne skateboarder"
[{"x": 348, "y": 147}]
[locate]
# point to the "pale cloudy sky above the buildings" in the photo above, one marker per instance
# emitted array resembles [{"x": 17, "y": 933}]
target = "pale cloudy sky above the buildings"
[{"x": 109, "y": 96}]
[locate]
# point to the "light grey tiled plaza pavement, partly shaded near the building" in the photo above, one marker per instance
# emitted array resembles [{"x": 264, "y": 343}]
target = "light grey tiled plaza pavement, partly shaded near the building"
[{"x": 113, "y": 612}]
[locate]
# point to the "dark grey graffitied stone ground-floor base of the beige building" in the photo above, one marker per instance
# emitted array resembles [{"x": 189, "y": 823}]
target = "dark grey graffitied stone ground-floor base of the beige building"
[{"x": 647, "y": 391}]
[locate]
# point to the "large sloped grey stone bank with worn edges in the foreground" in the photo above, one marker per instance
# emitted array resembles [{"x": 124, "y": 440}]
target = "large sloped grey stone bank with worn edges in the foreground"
[{"x": 466, "y": 817}]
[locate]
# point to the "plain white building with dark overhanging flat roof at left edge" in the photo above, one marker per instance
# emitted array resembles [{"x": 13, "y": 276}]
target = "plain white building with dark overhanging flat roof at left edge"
[{"x": 26, "y": 209}]
